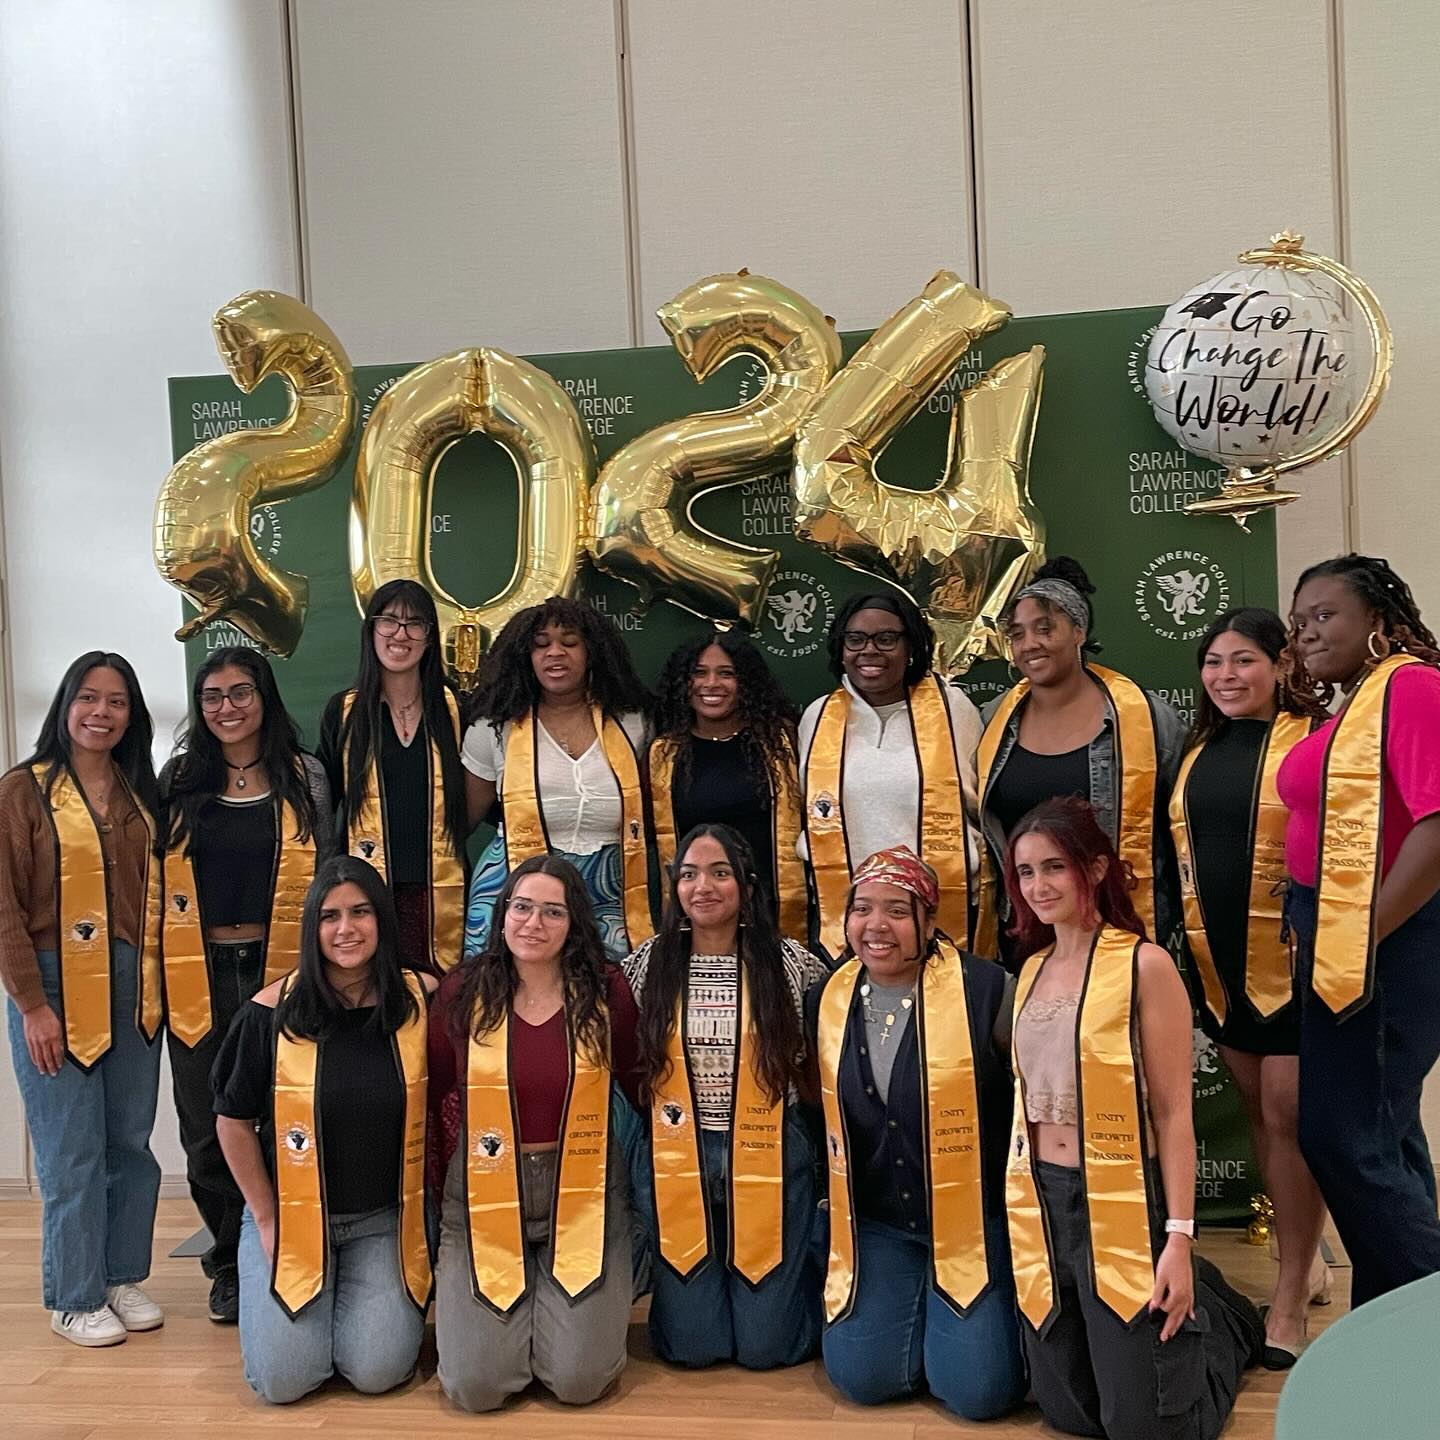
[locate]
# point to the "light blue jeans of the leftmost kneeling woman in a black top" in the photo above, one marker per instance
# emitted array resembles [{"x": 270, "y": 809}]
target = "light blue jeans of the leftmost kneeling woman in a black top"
[{"x": 362, "y": 1326}]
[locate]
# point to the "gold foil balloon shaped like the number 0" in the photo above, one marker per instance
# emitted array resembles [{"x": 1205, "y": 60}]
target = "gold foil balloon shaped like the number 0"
[{"x": 413, "y": 426}]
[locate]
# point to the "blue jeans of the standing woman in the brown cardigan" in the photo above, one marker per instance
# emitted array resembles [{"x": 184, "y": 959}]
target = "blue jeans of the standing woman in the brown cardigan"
[{"x": 91, "y": 1141}]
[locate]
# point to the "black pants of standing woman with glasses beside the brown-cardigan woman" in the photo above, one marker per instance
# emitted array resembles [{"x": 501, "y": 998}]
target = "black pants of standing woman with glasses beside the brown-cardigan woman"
[{"x": 237, "y": 973}]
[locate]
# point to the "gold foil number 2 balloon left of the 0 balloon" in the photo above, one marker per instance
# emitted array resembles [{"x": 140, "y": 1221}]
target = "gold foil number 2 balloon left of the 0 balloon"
[{"x": 202, "y": 529}]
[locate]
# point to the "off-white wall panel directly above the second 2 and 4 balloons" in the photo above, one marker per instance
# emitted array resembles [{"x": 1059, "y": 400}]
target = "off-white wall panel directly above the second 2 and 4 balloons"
[{"x": 819, "y": 142}]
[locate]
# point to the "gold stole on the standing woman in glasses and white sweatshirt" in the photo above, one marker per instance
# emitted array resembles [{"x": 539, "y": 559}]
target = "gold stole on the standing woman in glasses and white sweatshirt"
[{"x": 941, "y": 837}]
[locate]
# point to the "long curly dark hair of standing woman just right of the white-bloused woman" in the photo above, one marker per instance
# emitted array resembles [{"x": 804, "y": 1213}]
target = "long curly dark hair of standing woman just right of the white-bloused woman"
[{"x": 767, "y": 715}]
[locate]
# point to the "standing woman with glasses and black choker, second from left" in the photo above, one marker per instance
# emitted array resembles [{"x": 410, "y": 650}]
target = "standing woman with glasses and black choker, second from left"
[{"x": 246, "y": 816}]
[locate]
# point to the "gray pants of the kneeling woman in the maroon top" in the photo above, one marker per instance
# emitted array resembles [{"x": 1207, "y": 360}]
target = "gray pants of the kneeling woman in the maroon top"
[{"x": 575, "y": 1350}]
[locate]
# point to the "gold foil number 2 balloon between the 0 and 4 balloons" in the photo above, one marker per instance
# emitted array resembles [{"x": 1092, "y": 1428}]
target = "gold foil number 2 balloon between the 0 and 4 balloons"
[{"x": 644, "y": 529}]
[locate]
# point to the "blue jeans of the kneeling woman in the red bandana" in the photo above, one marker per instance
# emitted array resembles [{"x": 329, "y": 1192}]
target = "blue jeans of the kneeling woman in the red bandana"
[{"x": 902, "y": 1337}]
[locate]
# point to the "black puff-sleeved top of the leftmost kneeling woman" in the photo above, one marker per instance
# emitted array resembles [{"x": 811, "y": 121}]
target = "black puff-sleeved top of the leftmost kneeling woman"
[{"x": 361, "y": 1107}]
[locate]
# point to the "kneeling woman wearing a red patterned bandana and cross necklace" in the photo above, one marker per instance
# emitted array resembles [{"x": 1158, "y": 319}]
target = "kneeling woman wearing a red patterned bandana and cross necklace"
[{"x": 911, "y": 1040}]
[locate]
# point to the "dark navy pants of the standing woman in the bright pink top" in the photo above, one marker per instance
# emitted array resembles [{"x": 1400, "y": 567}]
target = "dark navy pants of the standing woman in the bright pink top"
[{"x": 1360, "y": 1102}]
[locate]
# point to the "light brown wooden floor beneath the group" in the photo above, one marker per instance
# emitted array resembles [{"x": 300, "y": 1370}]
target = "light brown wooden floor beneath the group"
[{"x": 185, "y": 1380}]
